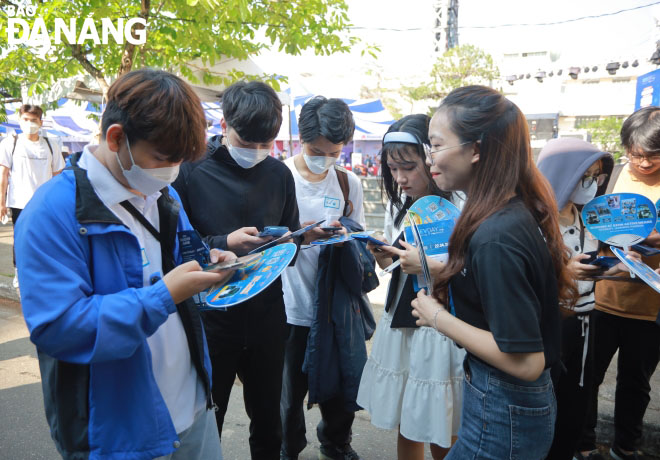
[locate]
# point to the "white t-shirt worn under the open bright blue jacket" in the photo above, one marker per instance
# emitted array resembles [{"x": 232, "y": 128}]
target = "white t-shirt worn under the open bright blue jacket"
[{"x": 175, "y": 374}]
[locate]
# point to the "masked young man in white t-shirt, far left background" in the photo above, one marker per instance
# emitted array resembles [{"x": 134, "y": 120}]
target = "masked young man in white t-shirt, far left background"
[{"x": 27, "y": 160}]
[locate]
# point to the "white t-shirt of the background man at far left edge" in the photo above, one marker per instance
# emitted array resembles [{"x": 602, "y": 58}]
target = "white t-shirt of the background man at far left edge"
[{"x": 31, "y": 165}]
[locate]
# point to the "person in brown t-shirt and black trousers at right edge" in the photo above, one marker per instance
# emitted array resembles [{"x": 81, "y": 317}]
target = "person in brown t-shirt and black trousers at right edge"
[{"x": 625, "y": 312}]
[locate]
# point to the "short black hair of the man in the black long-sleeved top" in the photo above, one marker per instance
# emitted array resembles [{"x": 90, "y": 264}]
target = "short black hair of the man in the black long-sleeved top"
[{"x": 253, "y": 110}]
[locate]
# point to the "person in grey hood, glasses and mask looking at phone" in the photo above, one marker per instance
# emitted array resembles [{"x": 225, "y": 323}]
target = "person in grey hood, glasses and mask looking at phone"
[{"x": 578, "y": 172}]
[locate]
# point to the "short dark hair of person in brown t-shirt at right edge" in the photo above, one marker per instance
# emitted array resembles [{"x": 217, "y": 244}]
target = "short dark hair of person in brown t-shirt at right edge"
[{"x": 641, "y": 130}]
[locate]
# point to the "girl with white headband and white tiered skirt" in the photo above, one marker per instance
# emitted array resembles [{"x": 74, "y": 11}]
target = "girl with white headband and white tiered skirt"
[{"x": 413, "y": 377}]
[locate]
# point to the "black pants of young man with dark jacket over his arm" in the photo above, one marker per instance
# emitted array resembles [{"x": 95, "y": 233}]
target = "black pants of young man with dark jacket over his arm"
[{"x": 335, "y": 425}]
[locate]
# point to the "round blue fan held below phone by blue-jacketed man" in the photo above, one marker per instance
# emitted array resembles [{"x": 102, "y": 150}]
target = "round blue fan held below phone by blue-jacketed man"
[{"x": 250, "y": 280}]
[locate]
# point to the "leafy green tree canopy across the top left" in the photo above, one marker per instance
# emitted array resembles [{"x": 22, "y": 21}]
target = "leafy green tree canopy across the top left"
[{"x": 179, "y": 32}]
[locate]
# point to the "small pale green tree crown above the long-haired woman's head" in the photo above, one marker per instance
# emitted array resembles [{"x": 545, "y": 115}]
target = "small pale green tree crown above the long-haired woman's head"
[{"x": 459, "y": 66}]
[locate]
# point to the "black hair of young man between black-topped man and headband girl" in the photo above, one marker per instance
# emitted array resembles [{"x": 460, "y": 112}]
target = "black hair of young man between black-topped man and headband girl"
[{"x": 330, "y": 118}]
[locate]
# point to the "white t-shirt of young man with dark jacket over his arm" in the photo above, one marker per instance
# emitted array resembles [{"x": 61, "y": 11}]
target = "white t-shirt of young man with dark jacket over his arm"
[{"x": 316, "y": 201}]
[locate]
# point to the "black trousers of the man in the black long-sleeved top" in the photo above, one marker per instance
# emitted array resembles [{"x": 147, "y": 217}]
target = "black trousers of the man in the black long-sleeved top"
[{"x": 259, "y": 367}]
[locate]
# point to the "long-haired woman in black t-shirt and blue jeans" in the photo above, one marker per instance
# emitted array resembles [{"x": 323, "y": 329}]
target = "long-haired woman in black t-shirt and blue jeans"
[{"x": 504, "y": 278}]
